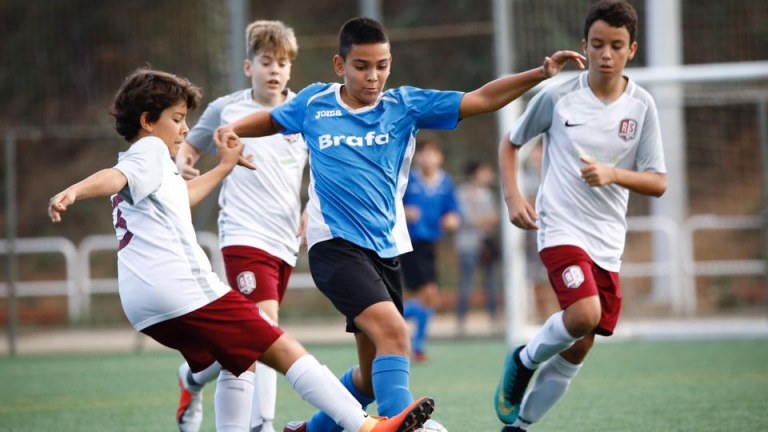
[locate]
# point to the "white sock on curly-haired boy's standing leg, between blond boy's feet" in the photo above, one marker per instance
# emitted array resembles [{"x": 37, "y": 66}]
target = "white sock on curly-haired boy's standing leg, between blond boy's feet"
[{"x": 232, "y": 403}]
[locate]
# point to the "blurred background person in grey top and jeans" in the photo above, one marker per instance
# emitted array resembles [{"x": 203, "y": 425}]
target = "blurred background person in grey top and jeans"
[{"x": 476, "y": 242}]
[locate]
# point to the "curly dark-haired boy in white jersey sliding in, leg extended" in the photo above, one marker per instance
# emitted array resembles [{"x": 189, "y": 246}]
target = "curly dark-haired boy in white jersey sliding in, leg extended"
[{"x": 166, "y": 284}]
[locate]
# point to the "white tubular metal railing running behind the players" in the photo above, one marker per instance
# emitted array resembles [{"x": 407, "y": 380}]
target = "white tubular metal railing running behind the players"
[{"x": 78, "y": 285}]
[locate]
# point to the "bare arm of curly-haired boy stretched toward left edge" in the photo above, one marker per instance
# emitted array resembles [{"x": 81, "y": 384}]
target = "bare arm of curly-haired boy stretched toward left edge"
[{"x": 103, "y": 183}]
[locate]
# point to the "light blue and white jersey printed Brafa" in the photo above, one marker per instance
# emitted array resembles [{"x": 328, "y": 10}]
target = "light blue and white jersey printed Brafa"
[{"x": 360, "y": 158}]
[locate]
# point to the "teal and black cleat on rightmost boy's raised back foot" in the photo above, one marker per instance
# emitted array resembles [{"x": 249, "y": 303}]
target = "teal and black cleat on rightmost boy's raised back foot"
[{"x": 511, "y": 389}]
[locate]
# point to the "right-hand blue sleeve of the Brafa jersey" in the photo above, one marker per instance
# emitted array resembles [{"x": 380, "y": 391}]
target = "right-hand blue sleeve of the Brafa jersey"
[{"x": 432, "y": 109}]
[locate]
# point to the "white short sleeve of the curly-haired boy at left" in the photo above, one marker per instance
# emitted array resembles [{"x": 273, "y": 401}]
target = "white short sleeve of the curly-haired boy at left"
[{"x": 142, "y": 165}]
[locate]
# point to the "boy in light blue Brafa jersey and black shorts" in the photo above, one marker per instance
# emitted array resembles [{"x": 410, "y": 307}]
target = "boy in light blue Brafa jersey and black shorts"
[{"x": 361, "y": 141}]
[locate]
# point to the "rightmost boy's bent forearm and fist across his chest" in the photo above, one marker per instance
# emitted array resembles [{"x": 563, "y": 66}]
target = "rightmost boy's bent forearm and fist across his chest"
[{"x": 645, "y": 183}]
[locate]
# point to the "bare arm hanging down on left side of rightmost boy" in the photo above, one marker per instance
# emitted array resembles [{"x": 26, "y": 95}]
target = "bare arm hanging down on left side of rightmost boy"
[{"x": 521, "y": 213}]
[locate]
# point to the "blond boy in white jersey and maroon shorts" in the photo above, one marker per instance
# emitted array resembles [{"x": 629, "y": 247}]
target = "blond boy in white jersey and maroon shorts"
[{"x": 259, "y": 220}]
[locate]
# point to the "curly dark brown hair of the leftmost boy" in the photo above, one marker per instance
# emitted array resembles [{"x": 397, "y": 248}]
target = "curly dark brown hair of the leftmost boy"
[{"x": 151, "y": 91}]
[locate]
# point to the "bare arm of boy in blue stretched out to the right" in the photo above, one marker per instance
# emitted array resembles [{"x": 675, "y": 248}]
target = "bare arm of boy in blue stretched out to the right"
[{"x": 500, "y": 92}]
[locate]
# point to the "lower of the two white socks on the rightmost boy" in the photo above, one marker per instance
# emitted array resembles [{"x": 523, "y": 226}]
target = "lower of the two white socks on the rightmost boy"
[{"x": 550, "y": 386}]
